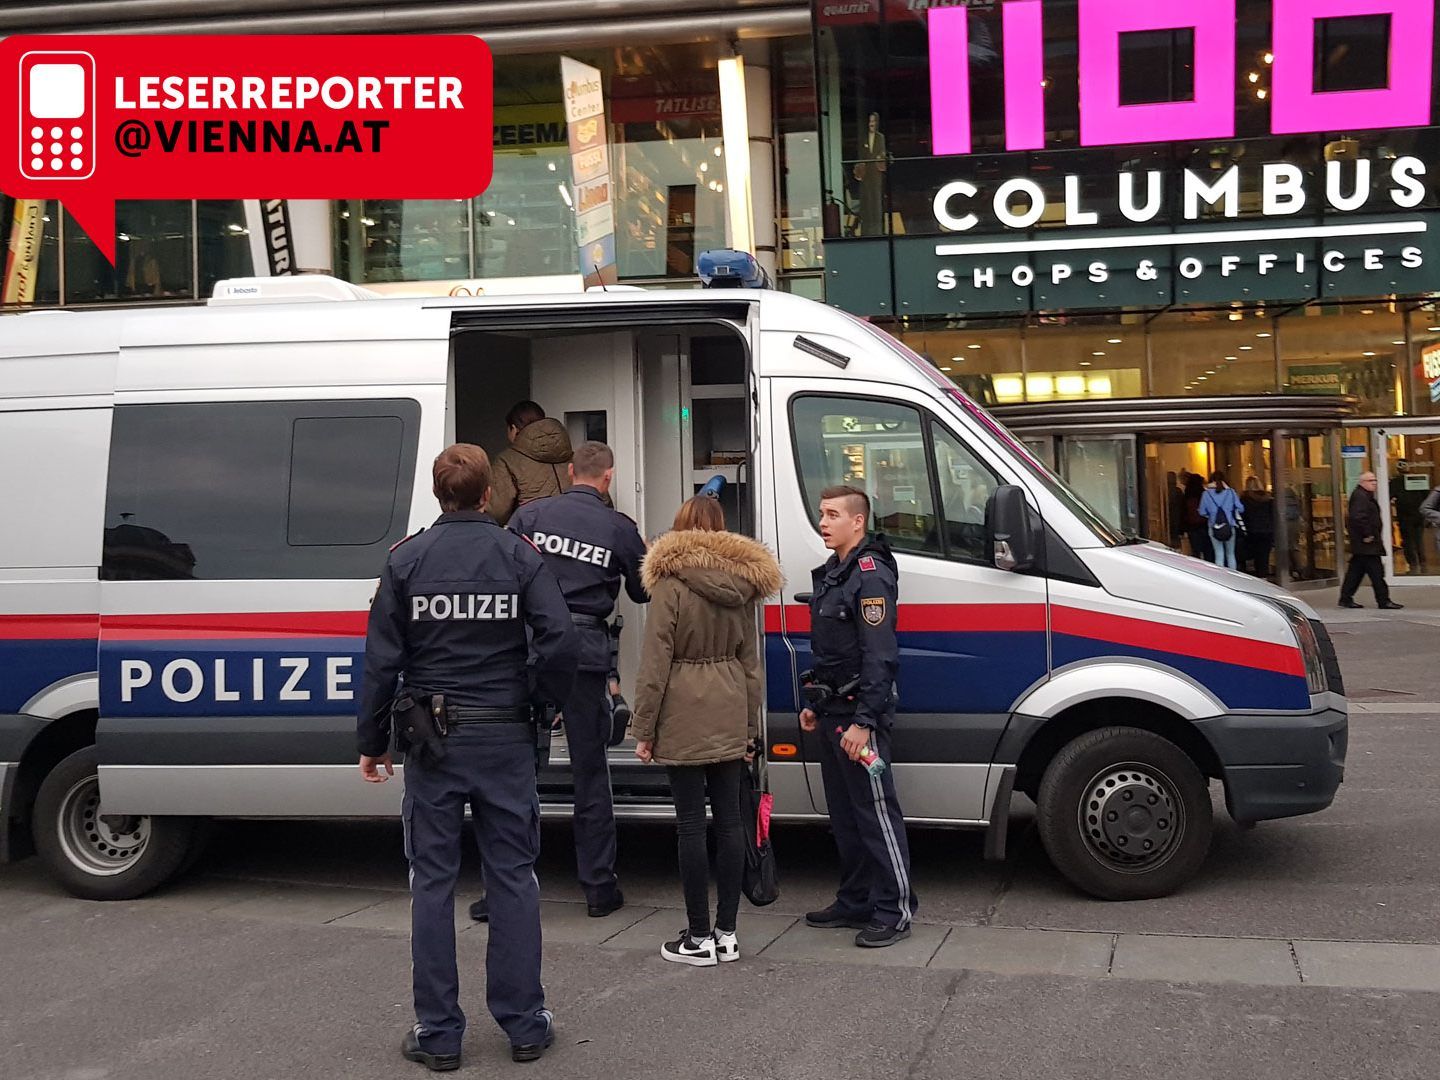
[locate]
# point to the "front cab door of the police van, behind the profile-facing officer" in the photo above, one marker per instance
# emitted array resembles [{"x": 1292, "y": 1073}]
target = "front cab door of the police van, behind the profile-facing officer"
[{"x": 973, "y": 637}]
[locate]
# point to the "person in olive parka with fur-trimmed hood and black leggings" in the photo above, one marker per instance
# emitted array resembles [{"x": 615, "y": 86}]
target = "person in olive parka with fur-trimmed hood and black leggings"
[{"x": 698, "y": 706}]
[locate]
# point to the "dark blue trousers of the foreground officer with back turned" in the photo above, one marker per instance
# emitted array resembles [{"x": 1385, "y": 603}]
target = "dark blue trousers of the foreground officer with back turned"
[{"x": 492, "y": 768}]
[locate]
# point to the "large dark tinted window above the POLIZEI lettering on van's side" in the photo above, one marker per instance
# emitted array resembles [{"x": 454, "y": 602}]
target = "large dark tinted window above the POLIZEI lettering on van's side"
[{"x": 258, "y": 490}]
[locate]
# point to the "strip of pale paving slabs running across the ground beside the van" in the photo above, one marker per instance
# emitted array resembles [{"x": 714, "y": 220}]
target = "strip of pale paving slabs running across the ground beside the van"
[{"x": 786, "y": 938}]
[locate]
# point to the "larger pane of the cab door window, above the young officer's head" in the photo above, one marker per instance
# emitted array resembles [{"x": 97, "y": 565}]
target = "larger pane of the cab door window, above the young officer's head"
[{"x": 875, "y": 446}]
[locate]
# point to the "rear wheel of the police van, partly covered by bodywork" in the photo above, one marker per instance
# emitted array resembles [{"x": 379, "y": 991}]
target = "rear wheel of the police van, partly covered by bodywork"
[{"x": 96, "y": 858}]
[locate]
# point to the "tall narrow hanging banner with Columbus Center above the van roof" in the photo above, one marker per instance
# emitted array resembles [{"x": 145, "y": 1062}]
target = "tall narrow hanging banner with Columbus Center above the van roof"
[{"x": 591, "y": 171}]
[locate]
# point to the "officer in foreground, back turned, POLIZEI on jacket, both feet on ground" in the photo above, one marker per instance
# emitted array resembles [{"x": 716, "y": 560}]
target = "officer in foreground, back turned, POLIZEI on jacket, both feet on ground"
[{"x": 451, "y": 617}]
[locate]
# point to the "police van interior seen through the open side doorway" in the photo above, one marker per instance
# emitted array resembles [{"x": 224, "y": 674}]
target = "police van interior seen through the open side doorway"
[{"x": 675, "y": 402}]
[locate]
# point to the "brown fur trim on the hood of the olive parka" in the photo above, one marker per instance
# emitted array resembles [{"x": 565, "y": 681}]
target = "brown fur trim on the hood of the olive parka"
[{"x": 724, "y": 568}]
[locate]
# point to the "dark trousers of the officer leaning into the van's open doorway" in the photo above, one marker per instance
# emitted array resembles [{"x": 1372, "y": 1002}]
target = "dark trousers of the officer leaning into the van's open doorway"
[{"x": 587, "y": 737}]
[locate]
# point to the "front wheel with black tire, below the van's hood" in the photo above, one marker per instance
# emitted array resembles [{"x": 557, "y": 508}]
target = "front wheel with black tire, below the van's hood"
[{"x": 1125, "y": 814}]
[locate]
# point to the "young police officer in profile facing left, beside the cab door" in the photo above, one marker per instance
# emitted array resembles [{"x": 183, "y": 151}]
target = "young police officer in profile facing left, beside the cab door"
[{"x": 852, "y": 689}]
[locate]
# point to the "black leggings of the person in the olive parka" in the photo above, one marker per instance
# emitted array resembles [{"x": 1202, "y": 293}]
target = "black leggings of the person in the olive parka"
[{"x": 689, "y": 786}]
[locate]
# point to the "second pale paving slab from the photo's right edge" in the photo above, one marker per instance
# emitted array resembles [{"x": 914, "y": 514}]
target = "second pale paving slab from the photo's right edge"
[{"x": 1205, "y": 960}]
